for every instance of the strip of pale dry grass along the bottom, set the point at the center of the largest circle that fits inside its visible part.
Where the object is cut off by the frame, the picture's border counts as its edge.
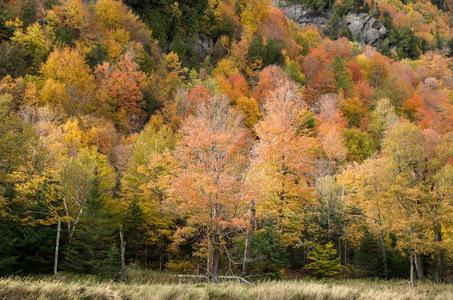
(89, 288)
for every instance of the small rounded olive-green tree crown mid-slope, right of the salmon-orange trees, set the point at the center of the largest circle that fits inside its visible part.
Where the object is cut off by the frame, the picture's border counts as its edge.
(360, 145)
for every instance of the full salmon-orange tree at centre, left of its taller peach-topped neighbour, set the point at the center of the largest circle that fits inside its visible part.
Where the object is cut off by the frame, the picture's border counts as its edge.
(211, 157)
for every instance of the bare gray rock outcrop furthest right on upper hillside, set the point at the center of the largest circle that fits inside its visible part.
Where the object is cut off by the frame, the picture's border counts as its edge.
(365, 28)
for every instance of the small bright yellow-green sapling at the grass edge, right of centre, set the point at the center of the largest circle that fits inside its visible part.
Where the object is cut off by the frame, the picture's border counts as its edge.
(324, 261)
